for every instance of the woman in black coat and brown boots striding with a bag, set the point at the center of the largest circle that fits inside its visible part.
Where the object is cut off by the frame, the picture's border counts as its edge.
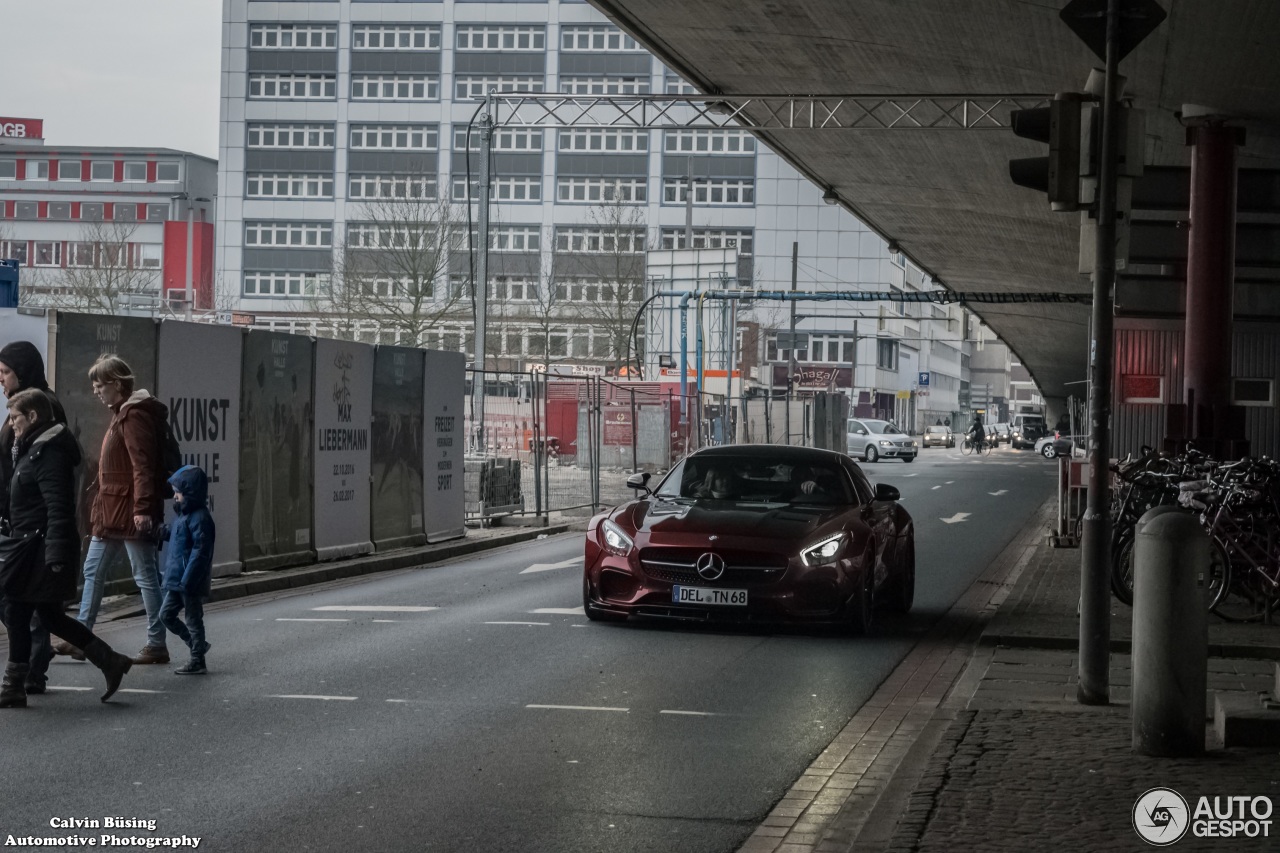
(39, 558)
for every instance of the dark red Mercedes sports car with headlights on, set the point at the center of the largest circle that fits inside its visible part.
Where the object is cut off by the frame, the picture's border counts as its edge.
(756, 533)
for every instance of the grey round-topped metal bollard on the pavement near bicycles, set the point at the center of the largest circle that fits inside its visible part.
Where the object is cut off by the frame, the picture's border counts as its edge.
(1171, 633)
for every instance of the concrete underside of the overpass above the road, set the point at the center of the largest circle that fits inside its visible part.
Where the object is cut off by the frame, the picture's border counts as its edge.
(945, 195)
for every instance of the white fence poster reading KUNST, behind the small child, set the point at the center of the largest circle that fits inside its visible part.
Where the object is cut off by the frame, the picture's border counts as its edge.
(199, 382)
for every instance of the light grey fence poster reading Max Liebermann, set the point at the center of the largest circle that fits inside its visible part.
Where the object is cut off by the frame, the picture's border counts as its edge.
(345, 396)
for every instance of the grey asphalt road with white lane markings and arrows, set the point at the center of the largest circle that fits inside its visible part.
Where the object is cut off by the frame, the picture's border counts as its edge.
(473, 706)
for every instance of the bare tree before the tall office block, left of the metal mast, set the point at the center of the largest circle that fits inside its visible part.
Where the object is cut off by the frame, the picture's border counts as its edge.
(392, 271)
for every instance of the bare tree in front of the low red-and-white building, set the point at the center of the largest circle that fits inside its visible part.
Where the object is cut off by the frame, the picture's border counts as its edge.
(102, 275)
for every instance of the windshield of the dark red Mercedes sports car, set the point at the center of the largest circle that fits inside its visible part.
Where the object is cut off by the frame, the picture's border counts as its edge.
(752, 480)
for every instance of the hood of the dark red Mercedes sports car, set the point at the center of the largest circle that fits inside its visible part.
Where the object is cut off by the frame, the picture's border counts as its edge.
(660, 522)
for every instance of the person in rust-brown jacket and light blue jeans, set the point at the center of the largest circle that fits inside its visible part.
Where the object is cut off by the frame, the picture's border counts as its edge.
(130, 501)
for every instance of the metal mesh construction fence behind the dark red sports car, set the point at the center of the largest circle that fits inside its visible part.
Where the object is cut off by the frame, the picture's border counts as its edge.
(568, 444)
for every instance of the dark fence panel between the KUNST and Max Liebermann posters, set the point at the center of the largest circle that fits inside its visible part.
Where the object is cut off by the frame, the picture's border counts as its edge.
(276, 451)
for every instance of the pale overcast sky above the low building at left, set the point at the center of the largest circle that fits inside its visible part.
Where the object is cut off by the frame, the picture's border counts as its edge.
(115, 72)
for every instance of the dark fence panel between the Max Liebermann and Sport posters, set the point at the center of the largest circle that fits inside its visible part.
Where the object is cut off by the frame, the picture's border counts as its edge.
(397, 449)
